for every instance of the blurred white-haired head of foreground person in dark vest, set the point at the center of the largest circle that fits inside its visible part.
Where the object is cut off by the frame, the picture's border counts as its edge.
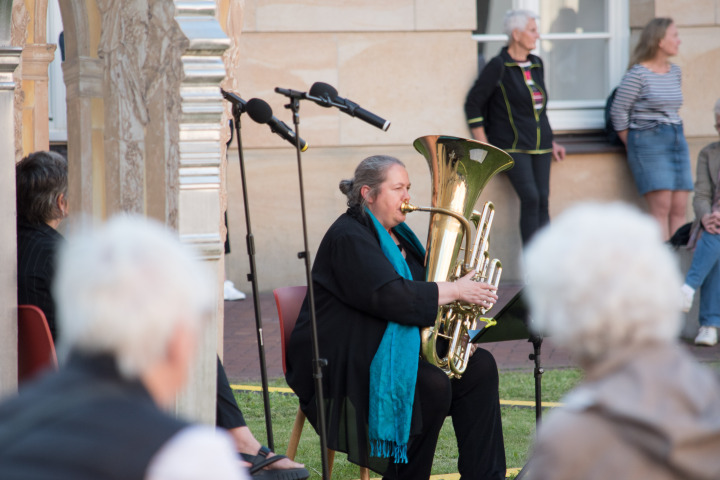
(125, 289)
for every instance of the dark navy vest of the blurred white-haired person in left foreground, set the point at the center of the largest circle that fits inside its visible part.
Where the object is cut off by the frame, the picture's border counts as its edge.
(84, 422)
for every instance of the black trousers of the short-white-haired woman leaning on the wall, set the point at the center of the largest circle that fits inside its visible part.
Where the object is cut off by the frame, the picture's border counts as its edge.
(530, 178)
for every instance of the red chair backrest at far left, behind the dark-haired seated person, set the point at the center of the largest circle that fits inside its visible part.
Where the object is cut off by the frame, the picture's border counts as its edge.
(36, 349)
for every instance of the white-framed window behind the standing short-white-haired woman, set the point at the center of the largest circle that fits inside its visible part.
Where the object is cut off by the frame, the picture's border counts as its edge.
(584, 47)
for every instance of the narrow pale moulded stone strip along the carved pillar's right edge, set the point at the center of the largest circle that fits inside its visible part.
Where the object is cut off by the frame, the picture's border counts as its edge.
(199, 216)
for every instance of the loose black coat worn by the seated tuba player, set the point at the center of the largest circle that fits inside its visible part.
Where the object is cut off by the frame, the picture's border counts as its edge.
(357, 291)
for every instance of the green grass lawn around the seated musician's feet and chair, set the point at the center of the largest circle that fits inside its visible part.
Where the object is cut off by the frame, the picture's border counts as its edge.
(518, 422)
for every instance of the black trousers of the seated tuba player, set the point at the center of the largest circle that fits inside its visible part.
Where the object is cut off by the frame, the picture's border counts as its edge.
(473, 402)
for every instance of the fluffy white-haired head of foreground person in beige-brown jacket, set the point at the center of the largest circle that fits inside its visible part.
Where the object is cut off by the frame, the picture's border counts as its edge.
(600, 278)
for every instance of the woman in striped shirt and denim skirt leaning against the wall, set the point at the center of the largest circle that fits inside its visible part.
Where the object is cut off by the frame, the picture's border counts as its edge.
(645, 115)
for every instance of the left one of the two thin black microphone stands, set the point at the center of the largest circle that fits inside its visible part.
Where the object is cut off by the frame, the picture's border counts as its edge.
(238, 110)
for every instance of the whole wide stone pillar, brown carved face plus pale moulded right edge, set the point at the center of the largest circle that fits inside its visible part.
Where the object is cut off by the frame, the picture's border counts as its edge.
(144, 121)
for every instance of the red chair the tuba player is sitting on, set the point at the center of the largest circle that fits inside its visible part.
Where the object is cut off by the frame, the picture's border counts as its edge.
(289, 301)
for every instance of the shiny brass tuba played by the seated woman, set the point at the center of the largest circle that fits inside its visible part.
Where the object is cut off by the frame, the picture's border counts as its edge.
(460, 169)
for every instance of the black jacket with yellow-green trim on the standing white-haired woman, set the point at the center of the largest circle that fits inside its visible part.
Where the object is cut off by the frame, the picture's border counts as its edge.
(501, 102)
